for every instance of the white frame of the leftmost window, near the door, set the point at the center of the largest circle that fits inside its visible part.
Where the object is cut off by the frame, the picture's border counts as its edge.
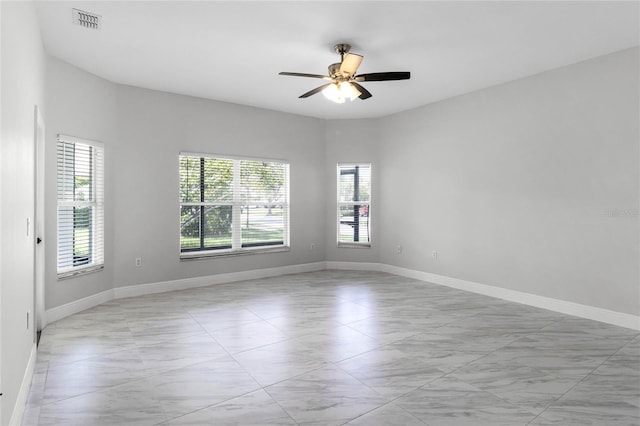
(97, 204)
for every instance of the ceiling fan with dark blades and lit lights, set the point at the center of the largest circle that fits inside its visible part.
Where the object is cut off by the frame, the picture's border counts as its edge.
(343, 83)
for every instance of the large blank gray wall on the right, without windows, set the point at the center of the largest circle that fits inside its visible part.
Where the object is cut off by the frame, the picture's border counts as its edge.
(512, 185)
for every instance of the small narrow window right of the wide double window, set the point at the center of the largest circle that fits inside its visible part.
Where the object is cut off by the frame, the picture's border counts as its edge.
(354, 204)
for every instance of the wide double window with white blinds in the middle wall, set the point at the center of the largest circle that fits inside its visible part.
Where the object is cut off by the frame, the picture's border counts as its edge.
(232, 205)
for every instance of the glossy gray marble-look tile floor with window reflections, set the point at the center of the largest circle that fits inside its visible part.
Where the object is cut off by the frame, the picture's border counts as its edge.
(332, 348)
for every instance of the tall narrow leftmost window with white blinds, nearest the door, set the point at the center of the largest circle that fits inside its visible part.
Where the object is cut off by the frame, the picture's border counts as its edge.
(80, 205)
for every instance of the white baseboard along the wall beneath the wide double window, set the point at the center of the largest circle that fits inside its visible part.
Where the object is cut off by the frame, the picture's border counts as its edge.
(182, 284)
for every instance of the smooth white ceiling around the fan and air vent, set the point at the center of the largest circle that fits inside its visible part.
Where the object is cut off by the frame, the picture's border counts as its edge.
(232, 51)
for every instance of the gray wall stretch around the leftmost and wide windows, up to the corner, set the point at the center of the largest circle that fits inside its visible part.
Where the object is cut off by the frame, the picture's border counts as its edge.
(143, 132)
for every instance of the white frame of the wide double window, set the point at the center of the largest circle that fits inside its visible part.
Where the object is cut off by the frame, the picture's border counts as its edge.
(236, 233)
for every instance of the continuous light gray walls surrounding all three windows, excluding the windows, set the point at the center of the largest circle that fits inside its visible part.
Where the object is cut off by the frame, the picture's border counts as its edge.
(511, 184)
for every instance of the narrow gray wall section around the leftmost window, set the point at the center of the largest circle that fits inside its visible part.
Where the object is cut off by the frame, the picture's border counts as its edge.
(81, 105)
